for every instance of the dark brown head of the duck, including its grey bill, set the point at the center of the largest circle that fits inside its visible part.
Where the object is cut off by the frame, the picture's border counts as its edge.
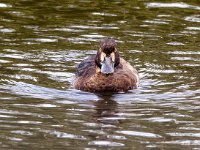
(107, 57)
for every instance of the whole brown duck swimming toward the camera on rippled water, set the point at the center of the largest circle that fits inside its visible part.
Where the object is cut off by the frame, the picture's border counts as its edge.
(106, 71)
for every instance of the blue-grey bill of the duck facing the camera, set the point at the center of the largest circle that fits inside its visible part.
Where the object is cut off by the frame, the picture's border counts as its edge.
(107, 67)
